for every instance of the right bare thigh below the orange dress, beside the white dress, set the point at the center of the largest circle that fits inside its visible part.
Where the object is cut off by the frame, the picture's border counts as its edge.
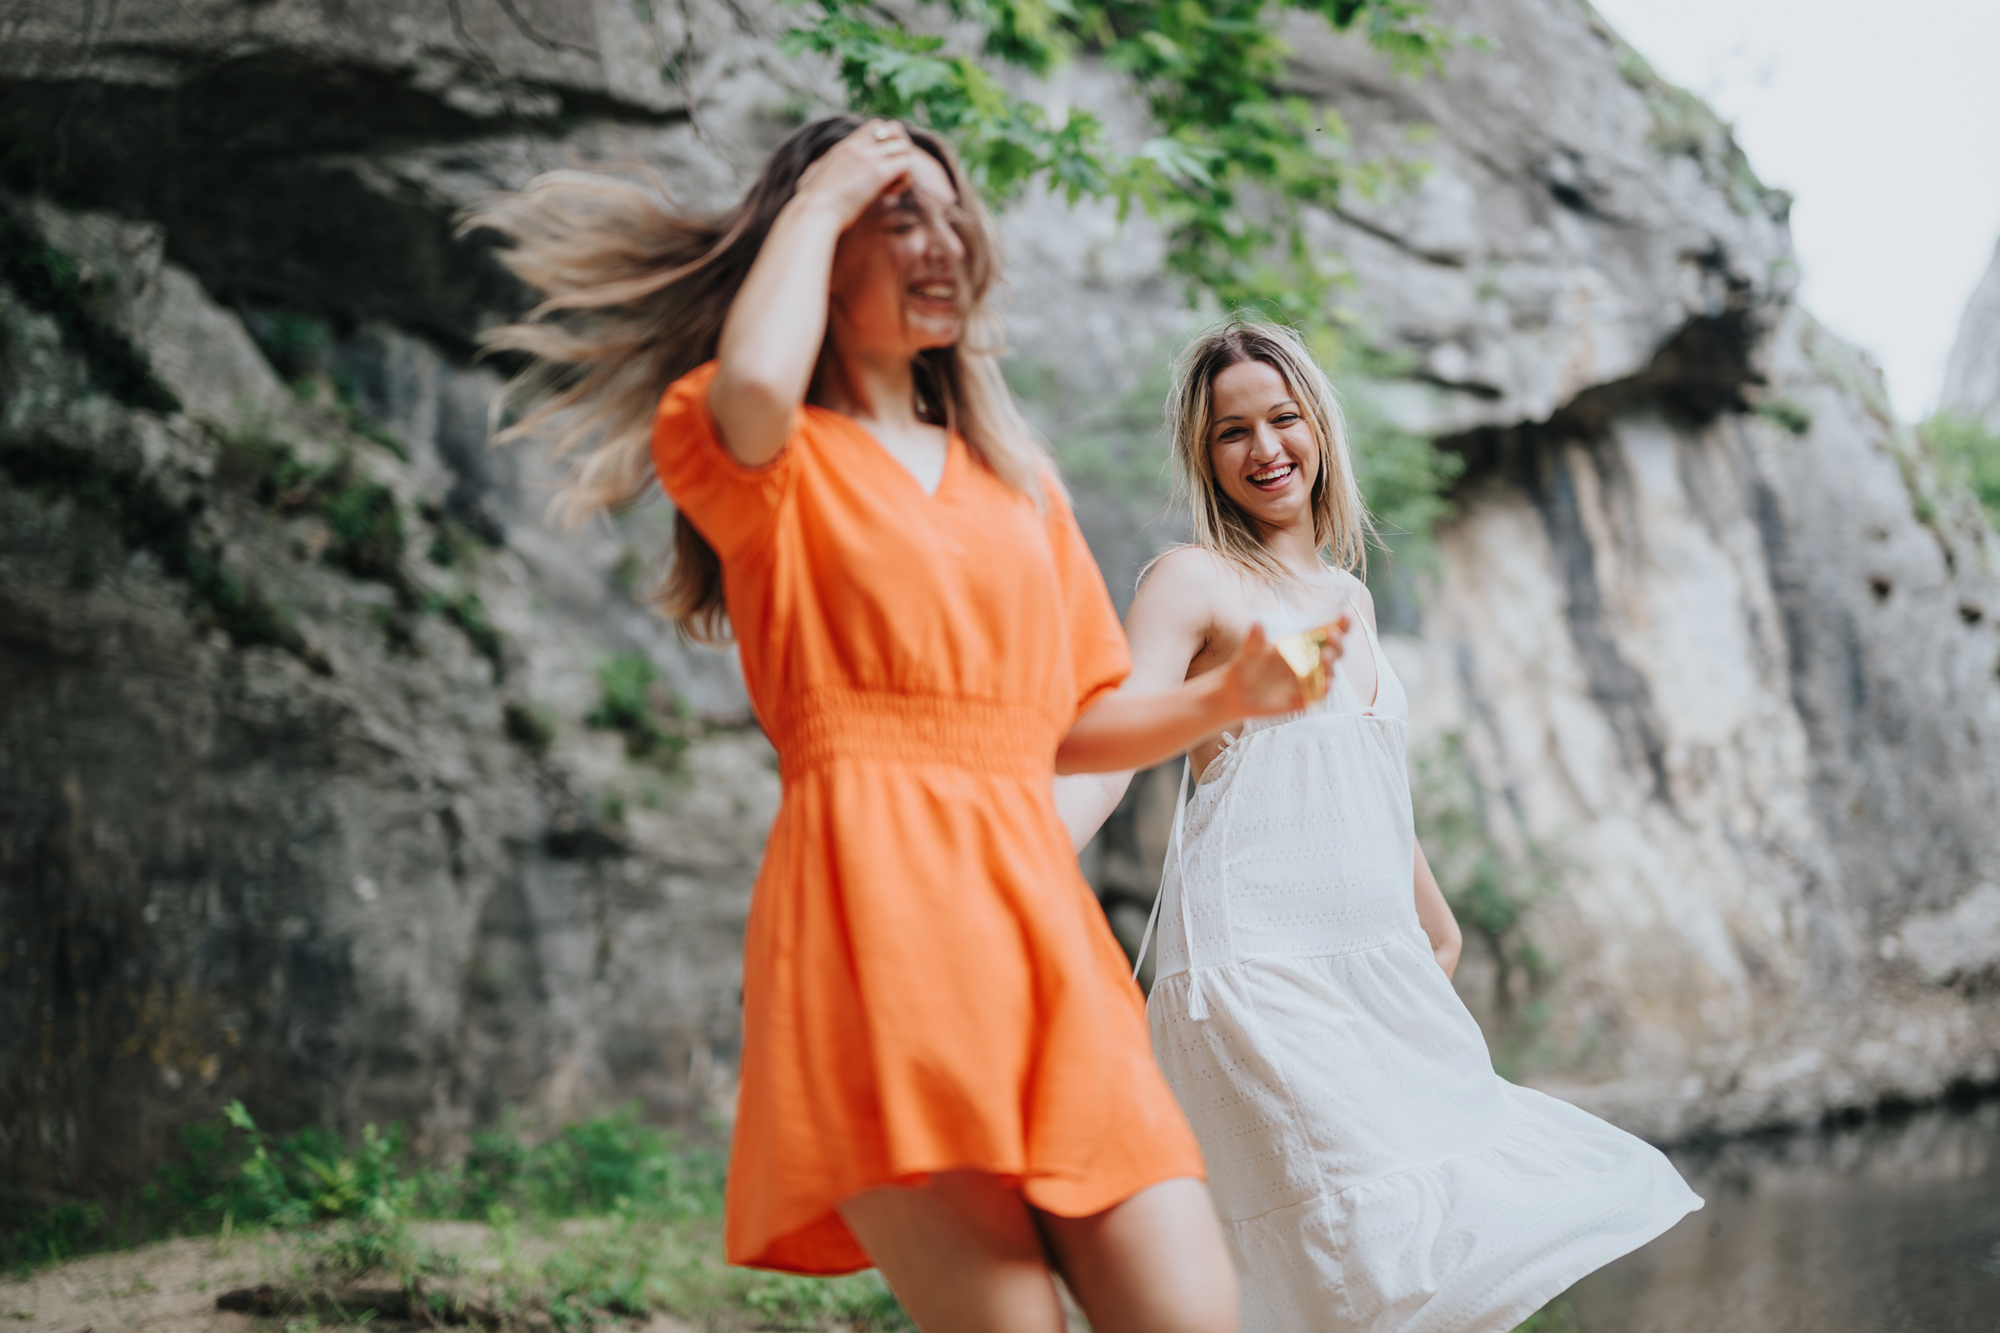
(1155, 1264)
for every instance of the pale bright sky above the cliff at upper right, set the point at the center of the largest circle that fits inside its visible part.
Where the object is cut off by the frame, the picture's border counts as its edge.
(1885, 123)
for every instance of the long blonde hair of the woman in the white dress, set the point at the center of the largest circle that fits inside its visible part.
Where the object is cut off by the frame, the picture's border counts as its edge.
(1341, 523)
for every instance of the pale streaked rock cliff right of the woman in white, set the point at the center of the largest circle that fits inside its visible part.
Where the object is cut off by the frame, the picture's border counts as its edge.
(1717, 651)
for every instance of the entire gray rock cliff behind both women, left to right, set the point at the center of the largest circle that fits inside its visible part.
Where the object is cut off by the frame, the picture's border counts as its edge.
(333, 778)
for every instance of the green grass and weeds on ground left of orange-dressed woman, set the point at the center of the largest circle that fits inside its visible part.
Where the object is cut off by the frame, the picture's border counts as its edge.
(605, 1222)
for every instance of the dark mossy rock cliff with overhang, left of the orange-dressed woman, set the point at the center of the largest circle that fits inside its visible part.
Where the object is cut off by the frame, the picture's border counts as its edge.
(331, 776)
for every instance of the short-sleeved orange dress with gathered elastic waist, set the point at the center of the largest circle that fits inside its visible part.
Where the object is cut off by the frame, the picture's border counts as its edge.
(929, 982)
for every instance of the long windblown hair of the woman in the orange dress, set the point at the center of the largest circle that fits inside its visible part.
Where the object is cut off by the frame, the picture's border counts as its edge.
(635, 297)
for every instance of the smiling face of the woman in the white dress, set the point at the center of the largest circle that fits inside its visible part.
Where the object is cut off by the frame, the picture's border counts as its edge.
(1261, 447)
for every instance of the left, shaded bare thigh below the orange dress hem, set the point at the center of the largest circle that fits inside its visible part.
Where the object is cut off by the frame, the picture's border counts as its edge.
(961, 1254)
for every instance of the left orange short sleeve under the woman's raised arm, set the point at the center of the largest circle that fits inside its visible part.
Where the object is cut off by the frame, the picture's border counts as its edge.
(727, 501)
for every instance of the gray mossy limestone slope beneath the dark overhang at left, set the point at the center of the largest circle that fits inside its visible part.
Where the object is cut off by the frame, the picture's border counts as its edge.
(287, 822)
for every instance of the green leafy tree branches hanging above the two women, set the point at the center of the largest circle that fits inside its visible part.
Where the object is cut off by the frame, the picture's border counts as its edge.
(1235, 161)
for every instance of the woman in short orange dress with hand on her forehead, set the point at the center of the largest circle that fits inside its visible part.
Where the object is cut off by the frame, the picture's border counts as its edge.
(945, 1068)
